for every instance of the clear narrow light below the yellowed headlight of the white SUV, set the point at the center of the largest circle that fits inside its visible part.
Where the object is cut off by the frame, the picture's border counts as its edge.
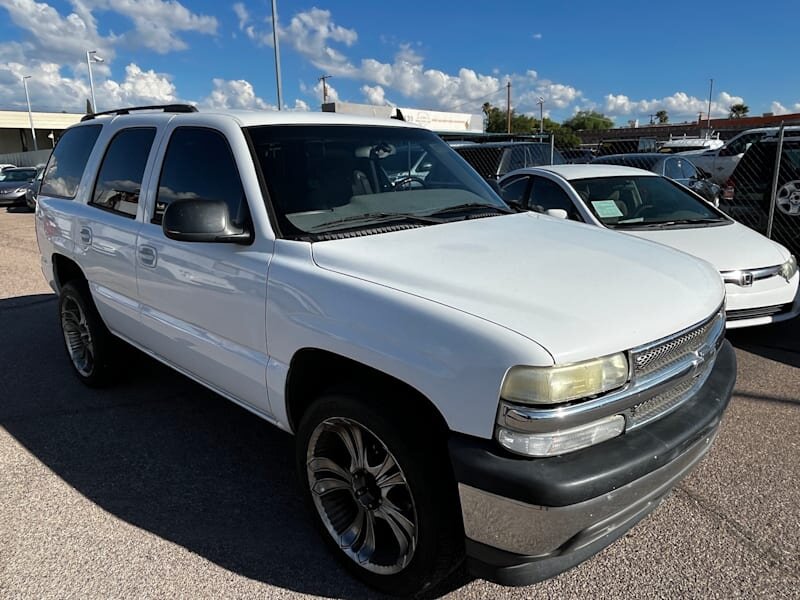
(554, 443)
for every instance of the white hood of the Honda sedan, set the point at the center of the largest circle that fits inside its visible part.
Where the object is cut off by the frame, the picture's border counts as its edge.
(727, 247)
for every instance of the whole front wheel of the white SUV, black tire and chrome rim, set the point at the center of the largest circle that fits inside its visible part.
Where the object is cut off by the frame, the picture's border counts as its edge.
(395, 483)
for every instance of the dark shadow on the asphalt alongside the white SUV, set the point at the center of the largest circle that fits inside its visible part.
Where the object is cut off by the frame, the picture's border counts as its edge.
(166, 455)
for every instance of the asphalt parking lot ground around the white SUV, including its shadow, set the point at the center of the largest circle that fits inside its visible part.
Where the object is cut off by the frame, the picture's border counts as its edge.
(157, 488)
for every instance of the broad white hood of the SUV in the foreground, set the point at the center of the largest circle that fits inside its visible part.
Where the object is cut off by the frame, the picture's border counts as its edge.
(578, 291)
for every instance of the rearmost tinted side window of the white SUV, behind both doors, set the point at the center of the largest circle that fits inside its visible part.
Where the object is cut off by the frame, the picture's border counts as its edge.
(68, 161)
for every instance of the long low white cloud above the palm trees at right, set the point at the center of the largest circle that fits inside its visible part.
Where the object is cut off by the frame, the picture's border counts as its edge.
(679, 105)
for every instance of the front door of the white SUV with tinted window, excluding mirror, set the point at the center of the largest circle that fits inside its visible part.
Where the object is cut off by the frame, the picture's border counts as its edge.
(204, 304)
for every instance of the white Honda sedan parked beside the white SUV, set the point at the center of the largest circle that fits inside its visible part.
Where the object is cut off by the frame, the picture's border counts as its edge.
(760, 275)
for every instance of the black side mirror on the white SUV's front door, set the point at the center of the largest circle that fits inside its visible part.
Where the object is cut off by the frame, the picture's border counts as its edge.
(193, 220)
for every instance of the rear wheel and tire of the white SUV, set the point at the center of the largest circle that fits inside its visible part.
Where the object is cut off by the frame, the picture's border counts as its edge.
(90, 347)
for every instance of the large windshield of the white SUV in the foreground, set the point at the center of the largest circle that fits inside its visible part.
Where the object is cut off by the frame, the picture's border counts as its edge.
(325, 178)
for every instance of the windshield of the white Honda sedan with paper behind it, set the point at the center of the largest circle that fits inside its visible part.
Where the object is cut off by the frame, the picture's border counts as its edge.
(644, 202)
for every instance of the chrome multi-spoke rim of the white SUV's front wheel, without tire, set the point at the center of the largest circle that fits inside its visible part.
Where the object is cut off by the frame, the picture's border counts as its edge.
(362, 495)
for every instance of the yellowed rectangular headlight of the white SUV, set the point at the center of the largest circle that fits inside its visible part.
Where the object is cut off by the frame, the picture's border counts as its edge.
(551, 385)
